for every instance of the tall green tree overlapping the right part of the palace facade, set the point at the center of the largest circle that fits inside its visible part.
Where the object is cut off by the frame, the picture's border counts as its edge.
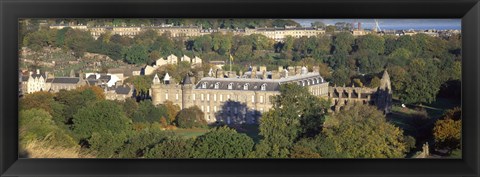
(296, 113)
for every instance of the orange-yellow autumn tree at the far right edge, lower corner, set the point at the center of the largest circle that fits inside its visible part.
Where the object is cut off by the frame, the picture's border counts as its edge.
(448, 130)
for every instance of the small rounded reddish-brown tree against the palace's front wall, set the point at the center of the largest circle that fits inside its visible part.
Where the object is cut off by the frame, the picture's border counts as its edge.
(190, 118)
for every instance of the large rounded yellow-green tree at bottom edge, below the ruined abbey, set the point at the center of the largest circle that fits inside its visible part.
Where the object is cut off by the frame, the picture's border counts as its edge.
(361, 131)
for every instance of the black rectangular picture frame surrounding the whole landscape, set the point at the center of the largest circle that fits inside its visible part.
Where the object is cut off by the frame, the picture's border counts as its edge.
(11, 11)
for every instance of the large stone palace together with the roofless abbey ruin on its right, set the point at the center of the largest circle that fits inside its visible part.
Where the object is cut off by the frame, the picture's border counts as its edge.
(233, 99)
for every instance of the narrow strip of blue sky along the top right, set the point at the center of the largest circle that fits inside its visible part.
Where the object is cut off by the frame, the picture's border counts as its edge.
(394, 24)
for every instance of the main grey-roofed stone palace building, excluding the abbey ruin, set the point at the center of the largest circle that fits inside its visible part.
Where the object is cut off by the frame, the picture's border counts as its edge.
(232, 100)
